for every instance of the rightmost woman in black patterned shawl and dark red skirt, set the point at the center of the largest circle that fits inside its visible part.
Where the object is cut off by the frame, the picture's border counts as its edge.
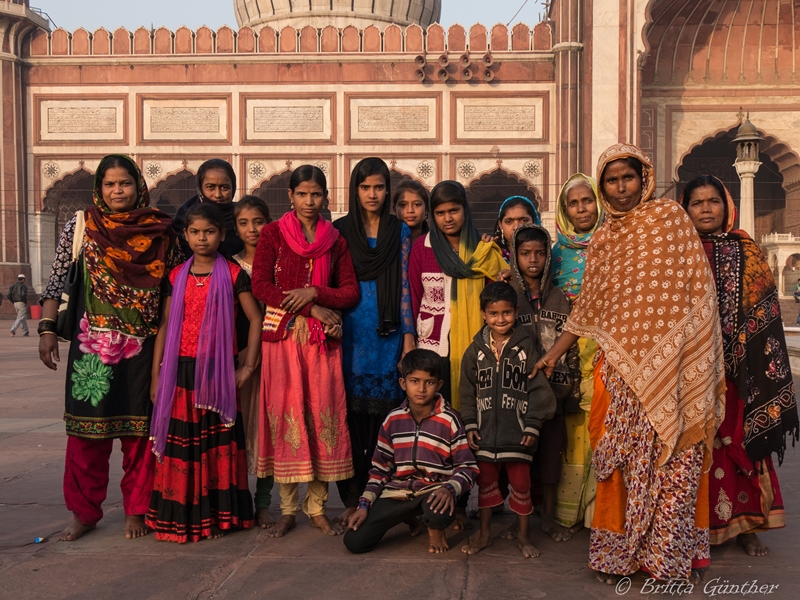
(760, 408)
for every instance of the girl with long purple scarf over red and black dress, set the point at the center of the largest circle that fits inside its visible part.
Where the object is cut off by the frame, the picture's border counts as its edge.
(201, 486)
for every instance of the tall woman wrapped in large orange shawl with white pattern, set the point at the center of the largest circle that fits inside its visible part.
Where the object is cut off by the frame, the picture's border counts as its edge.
(648, 299)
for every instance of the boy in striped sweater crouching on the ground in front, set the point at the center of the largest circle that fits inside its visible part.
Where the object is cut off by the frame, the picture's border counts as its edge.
(421, 465)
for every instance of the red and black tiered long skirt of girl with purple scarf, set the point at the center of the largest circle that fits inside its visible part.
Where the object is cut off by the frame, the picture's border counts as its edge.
(202, 482)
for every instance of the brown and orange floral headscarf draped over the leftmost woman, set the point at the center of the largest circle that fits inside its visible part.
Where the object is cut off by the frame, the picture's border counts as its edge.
(126, 257)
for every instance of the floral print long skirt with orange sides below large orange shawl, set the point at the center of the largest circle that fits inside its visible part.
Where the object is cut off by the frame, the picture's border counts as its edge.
(647, 516)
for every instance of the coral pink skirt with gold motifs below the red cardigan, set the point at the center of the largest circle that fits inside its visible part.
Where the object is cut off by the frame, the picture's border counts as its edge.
(303, 432)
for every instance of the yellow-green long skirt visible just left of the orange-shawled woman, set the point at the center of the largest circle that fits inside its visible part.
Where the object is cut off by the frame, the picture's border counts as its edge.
(577, 486)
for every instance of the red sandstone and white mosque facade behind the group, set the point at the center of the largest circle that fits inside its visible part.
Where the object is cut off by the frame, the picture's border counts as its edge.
(504, 109)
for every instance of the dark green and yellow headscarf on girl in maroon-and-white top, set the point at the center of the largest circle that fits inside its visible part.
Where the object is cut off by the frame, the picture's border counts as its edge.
(475, 261)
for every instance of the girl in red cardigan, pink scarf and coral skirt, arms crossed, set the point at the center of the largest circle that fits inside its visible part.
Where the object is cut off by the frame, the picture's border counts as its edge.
(303, 273)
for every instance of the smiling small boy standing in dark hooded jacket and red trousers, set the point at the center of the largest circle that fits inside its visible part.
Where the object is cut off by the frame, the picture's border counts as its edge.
(503, 412)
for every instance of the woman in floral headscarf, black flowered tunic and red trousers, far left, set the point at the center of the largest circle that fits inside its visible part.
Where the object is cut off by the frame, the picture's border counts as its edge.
(128, 251)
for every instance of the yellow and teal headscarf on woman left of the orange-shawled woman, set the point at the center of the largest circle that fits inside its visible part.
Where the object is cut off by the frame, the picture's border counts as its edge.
(569, 251)
